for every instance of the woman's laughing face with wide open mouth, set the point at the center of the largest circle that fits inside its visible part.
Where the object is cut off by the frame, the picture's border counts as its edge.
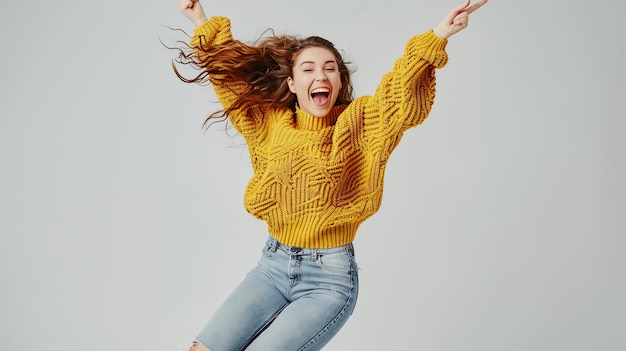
(315, 80)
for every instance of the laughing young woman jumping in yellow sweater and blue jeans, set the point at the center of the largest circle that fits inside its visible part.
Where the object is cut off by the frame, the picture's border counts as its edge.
(318, 158)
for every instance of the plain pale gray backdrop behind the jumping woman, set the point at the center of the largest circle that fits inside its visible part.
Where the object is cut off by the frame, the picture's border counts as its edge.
(502, 226)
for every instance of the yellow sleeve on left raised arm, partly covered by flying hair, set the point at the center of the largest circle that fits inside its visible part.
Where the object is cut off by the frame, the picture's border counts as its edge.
(216, 31)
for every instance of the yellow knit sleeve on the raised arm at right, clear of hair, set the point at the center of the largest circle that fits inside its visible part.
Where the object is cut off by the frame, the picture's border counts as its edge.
(405, 95)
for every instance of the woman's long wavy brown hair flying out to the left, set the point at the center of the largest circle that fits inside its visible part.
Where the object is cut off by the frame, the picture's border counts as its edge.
(263, 68)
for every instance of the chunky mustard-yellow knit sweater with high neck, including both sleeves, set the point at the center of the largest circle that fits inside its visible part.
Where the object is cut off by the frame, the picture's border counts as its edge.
(317, 179)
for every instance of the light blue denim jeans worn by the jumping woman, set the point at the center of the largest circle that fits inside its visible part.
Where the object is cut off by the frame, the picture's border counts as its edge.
(294, 299)
